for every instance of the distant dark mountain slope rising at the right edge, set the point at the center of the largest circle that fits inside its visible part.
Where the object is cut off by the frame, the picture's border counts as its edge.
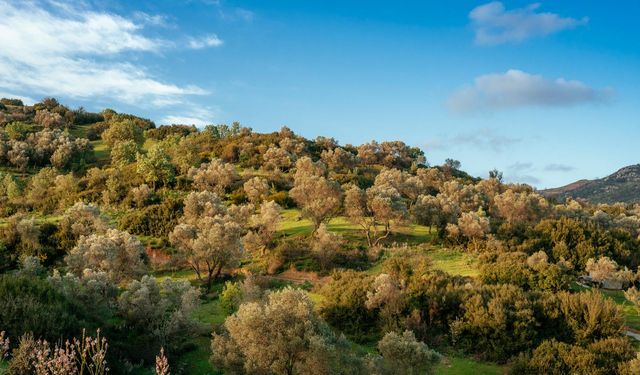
(622, 186)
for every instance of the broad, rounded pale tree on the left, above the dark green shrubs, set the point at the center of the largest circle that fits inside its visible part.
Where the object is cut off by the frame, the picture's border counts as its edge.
(117, 253)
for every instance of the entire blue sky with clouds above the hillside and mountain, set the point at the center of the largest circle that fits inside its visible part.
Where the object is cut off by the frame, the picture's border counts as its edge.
(546, 92)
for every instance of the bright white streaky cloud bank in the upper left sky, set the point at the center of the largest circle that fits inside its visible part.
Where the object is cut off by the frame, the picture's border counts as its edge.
(78, 53)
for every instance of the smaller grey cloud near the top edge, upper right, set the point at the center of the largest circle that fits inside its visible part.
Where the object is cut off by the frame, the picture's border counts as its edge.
(493, 24)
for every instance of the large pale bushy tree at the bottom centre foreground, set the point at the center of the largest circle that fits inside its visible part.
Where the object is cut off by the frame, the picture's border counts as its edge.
(281, 335)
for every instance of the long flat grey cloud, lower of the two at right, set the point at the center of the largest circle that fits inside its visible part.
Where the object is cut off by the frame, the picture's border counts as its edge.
(516, 88)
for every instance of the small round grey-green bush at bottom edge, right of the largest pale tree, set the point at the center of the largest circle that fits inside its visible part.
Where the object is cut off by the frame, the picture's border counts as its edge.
(405, 355)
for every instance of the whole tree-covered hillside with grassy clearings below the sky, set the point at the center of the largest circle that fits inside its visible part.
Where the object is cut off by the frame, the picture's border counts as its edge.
(141, 248)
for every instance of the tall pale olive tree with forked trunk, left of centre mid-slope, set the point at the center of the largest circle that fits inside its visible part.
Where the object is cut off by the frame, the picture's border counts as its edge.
(208, 238)
